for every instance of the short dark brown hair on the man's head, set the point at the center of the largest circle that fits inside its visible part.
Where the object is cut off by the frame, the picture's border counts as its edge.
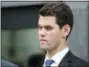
(61, 11)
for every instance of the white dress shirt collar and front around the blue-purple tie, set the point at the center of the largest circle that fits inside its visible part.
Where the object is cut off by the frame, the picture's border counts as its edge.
(57, 57)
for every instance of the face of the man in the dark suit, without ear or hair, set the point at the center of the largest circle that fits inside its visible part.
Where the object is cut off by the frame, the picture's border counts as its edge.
(50, 34)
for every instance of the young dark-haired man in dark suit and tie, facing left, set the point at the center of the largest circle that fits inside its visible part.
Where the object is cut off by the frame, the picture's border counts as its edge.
(54, 26)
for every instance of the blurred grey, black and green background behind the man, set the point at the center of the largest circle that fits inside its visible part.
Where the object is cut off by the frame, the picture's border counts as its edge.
(19, 35)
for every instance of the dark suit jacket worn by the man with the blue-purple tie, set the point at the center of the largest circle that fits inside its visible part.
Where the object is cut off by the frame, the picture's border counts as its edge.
(68, 61)
